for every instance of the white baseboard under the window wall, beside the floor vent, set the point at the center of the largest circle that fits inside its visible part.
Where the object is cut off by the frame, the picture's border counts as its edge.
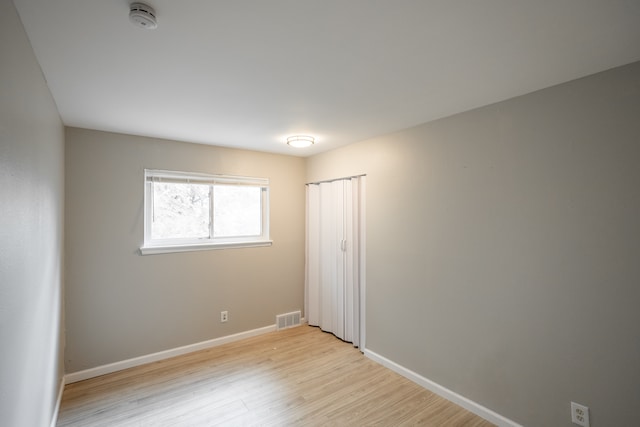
(141, 360)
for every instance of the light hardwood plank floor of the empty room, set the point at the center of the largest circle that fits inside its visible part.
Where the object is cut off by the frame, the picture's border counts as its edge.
(296, 377)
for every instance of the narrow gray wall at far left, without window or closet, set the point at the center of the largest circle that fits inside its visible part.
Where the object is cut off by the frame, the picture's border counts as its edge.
(31, 235)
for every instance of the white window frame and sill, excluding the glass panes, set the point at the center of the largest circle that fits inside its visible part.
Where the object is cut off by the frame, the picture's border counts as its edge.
(157, 246)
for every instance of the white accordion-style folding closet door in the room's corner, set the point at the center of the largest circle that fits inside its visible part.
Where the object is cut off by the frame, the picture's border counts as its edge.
(332, 297)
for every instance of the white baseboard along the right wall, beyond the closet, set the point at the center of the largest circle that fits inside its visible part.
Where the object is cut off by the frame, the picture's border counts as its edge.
(454, 397)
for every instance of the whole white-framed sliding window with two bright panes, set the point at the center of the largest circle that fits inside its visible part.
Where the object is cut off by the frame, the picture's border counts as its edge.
(189, 211)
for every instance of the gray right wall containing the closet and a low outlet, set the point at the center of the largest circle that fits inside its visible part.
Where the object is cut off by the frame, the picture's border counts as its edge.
(503, 250)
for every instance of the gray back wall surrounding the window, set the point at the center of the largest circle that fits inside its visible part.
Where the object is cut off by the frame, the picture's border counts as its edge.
(120, 304)
